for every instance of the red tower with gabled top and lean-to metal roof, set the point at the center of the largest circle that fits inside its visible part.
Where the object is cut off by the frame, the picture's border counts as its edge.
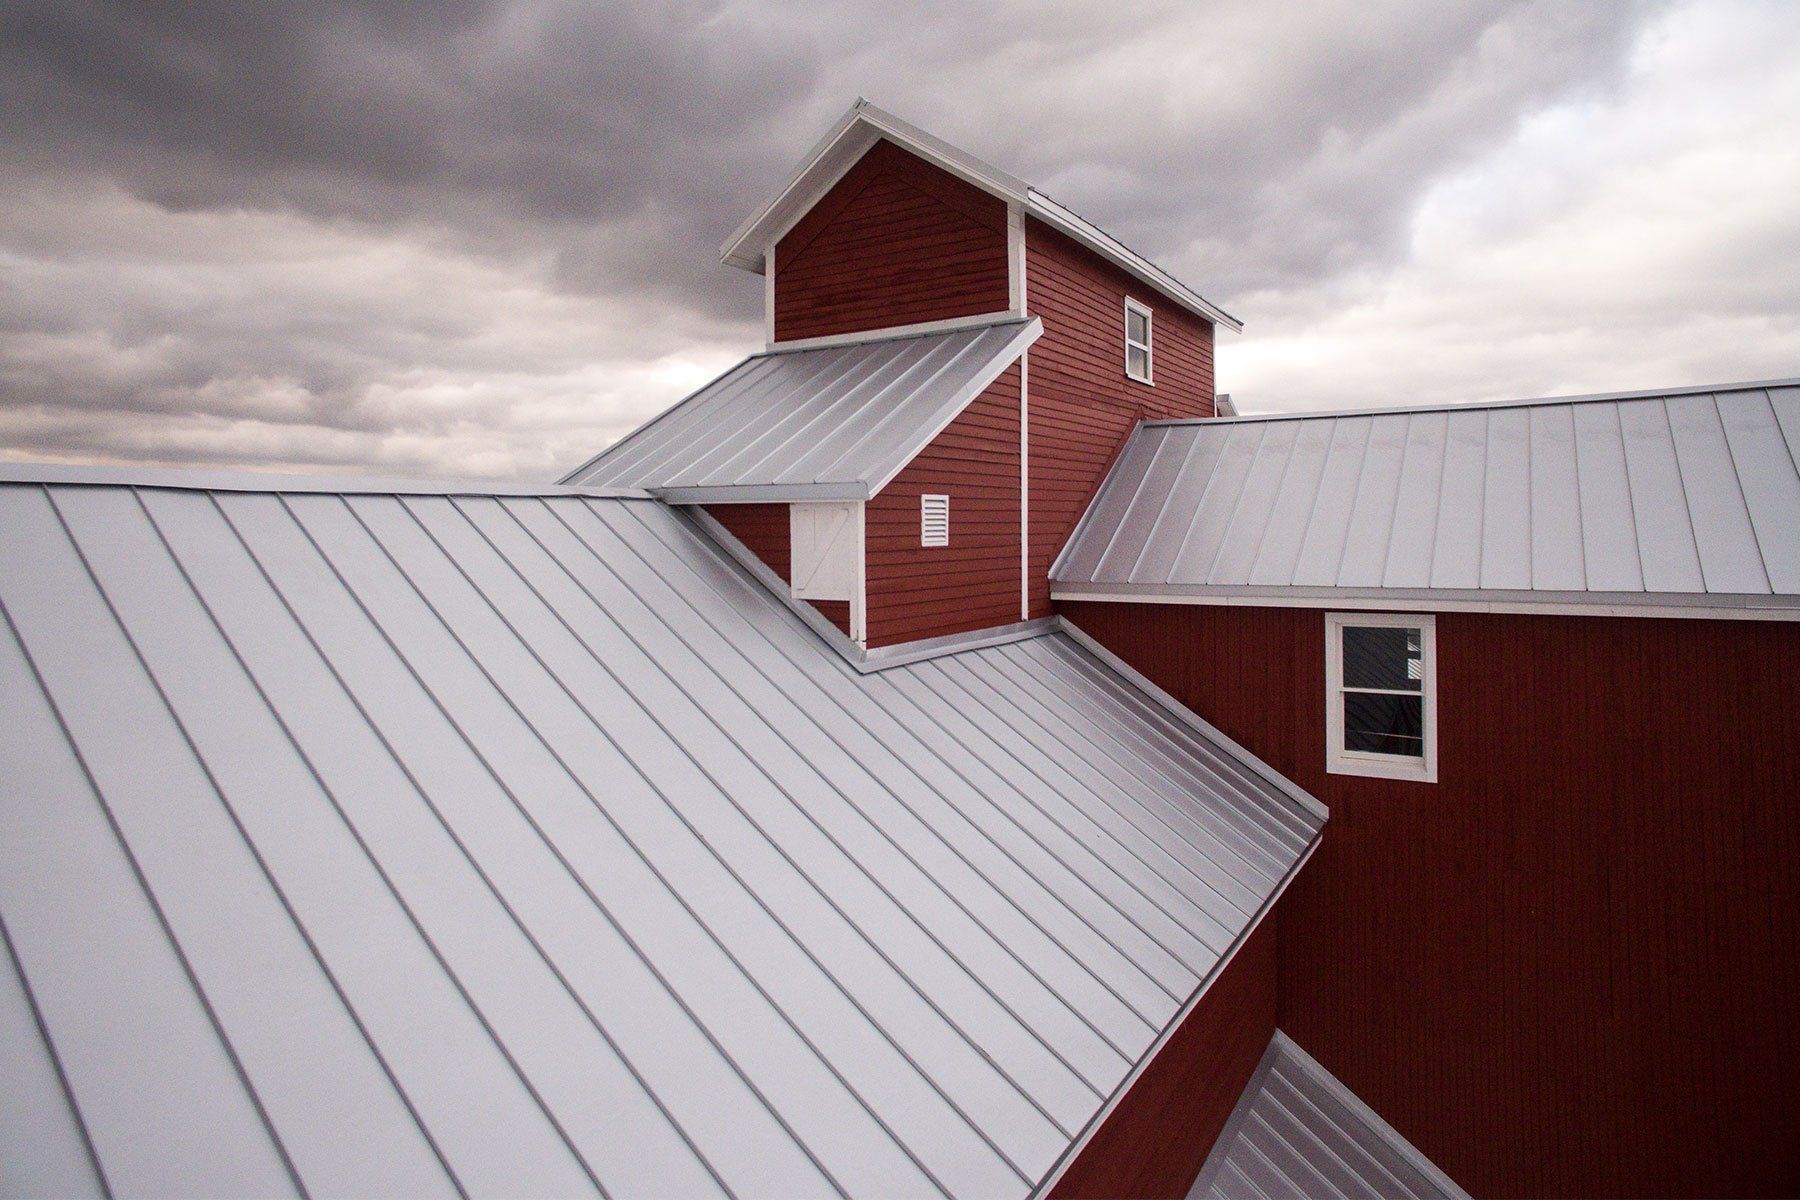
(953, 361)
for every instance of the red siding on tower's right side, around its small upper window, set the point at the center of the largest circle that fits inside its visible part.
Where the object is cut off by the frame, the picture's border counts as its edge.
(1083, 406)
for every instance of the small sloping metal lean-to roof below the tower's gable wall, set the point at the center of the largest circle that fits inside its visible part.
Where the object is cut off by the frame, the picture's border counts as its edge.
(829, 424)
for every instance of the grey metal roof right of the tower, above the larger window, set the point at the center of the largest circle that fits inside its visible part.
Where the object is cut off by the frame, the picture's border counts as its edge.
(1684, 497)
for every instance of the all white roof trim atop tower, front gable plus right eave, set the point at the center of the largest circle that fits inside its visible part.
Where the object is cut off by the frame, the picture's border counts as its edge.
(858, 130)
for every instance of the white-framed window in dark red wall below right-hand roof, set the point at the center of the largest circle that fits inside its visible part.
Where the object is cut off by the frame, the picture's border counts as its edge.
(1381, 695)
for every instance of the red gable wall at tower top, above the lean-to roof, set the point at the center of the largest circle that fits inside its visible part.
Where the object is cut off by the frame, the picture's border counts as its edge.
(895, 242)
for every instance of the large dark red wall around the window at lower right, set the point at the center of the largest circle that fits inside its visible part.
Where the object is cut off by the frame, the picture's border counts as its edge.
(1572, 965)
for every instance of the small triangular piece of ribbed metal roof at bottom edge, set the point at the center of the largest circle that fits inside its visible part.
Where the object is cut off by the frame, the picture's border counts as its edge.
(1299, 1133)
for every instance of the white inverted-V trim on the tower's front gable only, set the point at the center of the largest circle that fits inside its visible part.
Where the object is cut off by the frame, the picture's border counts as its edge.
(840, 150)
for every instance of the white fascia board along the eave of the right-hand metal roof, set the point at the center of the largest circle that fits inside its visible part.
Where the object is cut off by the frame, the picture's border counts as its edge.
(1524, 604)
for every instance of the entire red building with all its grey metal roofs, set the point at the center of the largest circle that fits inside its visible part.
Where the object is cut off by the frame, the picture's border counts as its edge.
(940, 757)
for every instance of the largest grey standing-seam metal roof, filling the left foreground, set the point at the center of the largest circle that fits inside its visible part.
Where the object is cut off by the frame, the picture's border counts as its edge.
(426, 845)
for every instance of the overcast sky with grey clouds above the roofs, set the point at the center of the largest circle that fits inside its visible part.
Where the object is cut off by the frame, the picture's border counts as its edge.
(481, 238)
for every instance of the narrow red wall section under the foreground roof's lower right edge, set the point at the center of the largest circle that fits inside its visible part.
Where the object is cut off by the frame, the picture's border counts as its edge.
(1156, 1142)
